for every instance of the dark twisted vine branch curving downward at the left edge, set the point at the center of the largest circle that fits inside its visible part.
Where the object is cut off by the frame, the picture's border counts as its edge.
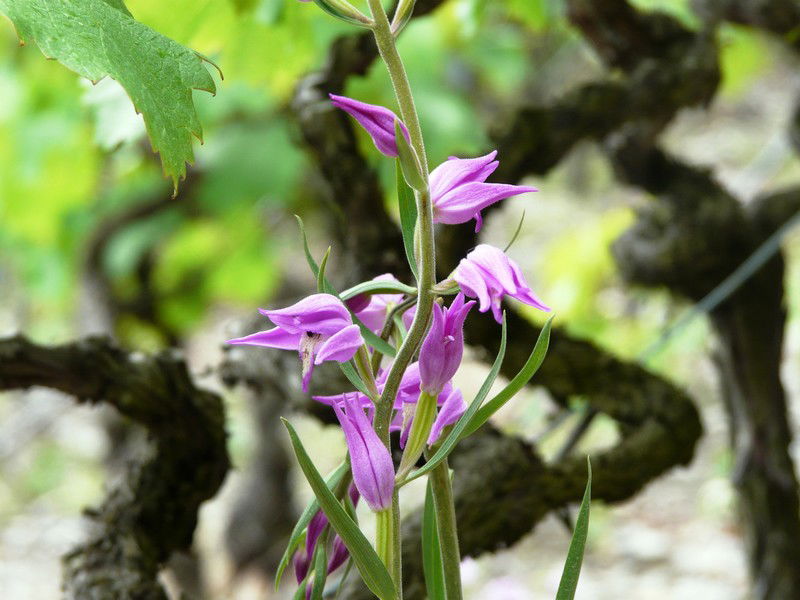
(153, 511)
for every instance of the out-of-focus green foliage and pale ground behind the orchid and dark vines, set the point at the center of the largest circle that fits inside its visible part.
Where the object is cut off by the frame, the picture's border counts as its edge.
(92, 243)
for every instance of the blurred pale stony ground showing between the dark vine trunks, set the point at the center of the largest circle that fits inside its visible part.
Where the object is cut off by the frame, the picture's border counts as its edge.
(676, 540)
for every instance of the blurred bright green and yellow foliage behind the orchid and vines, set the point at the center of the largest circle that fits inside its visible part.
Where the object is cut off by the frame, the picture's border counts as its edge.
(73, 157)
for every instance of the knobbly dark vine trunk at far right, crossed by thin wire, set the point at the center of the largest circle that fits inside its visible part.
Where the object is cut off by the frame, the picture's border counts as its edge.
(668, 246)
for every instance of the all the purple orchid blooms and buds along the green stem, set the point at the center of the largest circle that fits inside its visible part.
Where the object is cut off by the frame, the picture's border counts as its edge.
(322, 327)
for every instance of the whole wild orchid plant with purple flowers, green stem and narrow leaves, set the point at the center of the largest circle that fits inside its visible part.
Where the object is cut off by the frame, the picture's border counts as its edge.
(405, 386)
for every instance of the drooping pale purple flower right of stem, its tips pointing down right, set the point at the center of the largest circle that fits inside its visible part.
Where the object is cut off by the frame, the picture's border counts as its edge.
(488, 274)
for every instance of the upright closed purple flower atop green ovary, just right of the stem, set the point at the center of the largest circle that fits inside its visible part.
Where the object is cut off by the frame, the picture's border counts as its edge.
(441, 351)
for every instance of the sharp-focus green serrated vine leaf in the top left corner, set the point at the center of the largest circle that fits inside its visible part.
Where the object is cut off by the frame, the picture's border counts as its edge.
(100, 38)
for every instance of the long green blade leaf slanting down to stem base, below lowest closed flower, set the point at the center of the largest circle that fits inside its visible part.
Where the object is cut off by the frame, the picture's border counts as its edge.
(366, 559)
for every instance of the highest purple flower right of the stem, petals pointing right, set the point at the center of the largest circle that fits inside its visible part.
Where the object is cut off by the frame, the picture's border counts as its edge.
(459, 191)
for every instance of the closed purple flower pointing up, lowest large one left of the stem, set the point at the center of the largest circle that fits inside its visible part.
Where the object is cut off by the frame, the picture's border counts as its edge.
(371, 463)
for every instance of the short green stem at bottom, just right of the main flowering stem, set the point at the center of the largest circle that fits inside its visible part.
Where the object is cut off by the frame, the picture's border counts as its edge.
(448, 532)
